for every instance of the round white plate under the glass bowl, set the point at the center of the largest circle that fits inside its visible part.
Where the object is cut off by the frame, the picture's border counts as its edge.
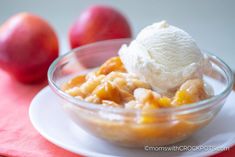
(51, 122)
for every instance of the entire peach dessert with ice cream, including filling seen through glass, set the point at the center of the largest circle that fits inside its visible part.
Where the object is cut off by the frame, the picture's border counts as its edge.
(139, 94)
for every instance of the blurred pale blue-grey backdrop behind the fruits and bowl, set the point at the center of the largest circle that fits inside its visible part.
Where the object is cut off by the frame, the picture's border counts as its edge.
(210, 22)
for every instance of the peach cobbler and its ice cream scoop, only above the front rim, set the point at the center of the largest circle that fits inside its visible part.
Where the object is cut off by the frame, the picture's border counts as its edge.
(161, 68)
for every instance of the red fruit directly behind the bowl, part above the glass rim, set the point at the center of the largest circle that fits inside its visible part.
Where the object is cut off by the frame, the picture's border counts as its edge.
(98, 23)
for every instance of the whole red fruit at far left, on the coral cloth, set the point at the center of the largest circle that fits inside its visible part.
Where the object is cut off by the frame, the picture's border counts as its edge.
(28, 45)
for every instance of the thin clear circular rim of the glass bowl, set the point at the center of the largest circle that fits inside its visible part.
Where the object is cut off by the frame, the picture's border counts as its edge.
(193, 107)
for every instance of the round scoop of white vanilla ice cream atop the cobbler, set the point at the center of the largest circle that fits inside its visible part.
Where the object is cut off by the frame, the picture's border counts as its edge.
(164, 56)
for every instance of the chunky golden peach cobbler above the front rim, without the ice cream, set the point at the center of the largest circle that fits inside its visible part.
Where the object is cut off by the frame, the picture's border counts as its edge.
(111, 85)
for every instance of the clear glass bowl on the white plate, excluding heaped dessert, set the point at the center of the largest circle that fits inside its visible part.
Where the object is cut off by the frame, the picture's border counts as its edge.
(122, 126)
